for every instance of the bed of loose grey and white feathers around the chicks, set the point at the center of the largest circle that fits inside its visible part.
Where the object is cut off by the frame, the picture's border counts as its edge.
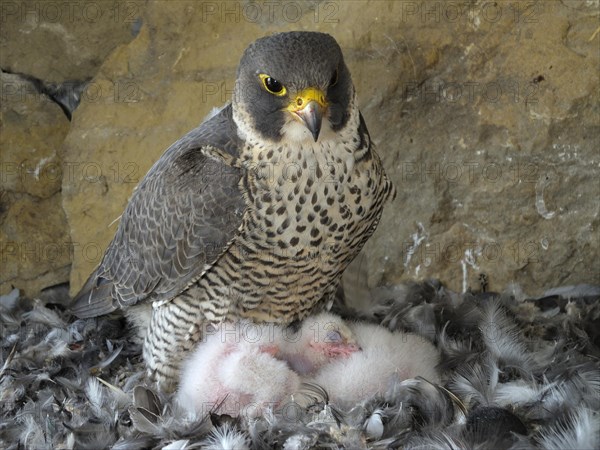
(516, 373)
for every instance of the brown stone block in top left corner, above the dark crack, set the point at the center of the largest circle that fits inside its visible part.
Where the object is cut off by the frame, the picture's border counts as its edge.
(63, 41)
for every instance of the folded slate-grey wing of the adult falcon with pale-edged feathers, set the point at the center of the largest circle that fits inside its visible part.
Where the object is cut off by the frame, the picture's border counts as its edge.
(179, 220)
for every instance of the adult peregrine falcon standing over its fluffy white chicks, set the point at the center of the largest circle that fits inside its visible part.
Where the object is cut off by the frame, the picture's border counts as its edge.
(254, 214)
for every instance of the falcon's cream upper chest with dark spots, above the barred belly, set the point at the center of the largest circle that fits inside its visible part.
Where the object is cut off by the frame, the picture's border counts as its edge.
(306, 203)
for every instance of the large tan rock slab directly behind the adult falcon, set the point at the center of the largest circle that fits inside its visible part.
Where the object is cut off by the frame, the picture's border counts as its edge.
(485, 115)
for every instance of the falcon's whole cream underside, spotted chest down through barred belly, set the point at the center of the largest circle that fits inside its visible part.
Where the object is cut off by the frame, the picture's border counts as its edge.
(309, 212)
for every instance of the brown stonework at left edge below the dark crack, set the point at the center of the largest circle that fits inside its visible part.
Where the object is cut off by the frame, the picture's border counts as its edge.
(35, 248)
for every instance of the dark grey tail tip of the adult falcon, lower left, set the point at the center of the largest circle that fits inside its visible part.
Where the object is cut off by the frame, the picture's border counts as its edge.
(94, 299)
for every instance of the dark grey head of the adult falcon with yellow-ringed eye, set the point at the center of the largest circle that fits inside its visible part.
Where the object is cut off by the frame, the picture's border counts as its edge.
(294, 78)
